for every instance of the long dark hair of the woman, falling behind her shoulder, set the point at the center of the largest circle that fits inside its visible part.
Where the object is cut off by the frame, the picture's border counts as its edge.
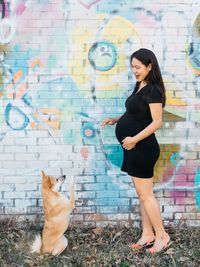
(146, 57)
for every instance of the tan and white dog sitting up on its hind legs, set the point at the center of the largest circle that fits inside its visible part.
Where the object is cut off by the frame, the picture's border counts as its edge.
(56, 215)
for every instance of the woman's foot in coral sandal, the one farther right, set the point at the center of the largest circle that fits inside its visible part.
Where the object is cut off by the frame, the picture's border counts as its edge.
(160, 244)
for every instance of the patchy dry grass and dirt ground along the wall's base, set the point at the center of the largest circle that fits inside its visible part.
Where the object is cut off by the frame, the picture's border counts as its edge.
(108, 246)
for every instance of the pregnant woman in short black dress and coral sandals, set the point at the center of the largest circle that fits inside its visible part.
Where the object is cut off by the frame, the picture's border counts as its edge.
(135, 132)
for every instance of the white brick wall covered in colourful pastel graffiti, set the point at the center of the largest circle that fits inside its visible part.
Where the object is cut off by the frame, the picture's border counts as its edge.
(64, 67)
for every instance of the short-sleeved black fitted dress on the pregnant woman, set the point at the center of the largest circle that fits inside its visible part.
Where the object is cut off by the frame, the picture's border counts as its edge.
(140, 160)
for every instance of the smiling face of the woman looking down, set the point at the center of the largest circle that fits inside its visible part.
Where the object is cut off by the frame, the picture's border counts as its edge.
(140, 70)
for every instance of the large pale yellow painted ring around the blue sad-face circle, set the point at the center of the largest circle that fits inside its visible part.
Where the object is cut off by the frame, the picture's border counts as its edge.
(117, 30)
